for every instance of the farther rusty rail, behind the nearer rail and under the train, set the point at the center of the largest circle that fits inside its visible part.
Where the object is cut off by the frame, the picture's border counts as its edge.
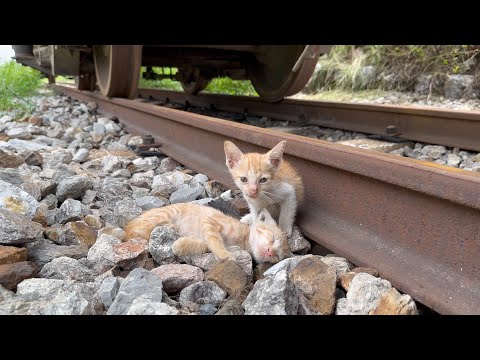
(444, 127)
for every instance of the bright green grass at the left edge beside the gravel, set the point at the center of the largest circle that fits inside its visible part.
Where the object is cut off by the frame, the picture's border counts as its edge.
(17, 84)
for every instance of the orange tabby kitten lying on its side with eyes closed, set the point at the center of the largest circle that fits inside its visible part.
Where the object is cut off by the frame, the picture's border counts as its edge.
(203, 228)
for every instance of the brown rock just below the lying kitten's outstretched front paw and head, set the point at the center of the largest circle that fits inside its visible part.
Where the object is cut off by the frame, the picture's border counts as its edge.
(231, 278)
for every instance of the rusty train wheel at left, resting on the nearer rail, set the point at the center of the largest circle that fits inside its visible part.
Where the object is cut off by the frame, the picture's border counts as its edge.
(118, 69)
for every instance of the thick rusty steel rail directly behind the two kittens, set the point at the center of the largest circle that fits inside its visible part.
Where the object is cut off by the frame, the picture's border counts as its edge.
(418, 223)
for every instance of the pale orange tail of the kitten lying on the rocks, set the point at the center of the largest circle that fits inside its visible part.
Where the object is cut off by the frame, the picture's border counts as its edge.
(142, 226)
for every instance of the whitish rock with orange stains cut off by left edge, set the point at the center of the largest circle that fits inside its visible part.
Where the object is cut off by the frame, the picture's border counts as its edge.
(14, 199)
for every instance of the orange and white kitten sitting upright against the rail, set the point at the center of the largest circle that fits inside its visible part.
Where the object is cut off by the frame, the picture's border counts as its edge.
(266, 181)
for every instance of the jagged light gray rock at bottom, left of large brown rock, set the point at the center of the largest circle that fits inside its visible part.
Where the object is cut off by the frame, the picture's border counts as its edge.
(274, 295)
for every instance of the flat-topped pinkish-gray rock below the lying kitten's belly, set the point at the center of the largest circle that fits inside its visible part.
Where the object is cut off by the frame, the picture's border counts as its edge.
(175, 277)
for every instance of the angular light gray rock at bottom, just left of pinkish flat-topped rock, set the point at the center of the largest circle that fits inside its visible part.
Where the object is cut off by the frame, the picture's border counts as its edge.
(139, 283)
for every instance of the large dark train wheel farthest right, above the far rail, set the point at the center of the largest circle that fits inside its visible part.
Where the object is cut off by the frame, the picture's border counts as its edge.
(274, 74)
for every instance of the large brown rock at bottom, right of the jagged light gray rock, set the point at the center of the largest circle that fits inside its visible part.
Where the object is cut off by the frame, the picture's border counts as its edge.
(317, 282)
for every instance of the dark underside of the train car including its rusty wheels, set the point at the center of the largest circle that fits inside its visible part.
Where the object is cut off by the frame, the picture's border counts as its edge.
(275, 71)
